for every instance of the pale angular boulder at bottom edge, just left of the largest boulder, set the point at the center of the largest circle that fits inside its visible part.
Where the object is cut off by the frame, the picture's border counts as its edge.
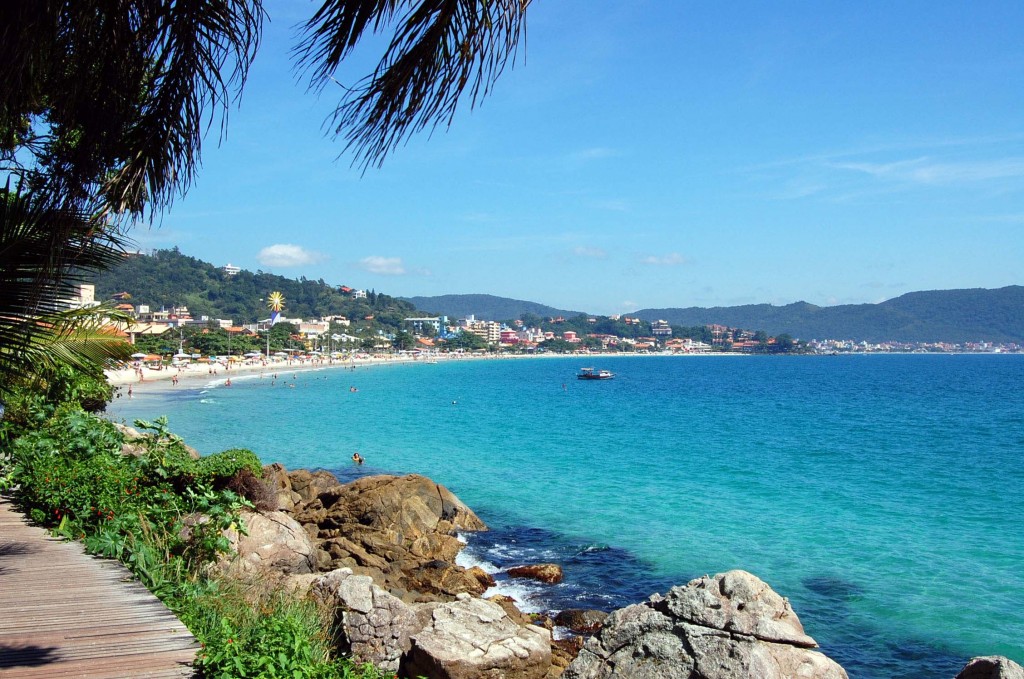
(476, 640)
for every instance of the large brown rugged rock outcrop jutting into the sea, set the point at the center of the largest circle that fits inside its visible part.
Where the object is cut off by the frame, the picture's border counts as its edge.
(401, 531)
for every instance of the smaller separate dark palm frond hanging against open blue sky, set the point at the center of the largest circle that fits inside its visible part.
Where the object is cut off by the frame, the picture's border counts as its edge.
(440, 50)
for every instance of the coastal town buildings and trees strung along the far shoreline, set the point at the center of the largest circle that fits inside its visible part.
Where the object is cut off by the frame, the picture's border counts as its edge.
(175, 332)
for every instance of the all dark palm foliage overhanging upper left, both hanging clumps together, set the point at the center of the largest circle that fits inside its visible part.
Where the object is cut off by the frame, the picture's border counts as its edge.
(105, 106)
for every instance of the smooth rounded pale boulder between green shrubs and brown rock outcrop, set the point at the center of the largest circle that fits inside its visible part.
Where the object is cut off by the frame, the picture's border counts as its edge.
(275, 541)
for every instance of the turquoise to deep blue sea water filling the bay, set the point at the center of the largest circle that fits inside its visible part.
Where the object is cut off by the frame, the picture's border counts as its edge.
(882, 494)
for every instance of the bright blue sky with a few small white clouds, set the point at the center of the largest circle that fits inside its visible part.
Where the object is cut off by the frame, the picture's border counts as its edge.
(652, 154)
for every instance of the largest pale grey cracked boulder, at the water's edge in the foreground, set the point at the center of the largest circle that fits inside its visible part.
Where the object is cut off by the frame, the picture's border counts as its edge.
(727, 627)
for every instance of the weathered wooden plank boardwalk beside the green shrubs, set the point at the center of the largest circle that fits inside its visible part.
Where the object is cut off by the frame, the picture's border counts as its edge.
(64, 614)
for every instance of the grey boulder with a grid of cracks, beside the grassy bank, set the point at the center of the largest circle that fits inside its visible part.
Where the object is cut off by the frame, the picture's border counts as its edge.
(372, 625)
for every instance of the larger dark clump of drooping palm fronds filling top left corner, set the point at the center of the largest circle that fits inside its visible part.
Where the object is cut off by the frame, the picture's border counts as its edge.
(124, 90)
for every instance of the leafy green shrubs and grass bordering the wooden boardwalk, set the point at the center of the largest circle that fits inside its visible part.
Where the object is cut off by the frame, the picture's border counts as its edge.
(164, 516)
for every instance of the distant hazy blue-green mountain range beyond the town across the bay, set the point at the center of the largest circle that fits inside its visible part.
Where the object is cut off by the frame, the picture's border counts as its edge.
(938, 316)
